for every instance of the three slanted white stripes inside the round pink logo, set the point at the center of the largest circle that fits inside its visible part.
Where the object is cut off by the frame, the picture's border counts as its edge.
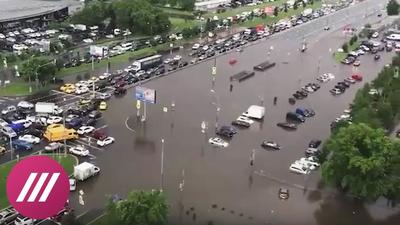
(38, 187)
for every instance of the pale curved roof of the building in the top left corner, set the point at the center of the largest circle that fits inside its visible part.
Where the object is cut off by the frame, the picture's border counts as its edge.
(11, 10)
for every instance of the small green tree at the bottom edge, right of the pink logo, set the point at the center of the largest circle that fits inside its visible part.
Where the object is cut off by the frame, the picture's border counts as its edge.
(143, 208)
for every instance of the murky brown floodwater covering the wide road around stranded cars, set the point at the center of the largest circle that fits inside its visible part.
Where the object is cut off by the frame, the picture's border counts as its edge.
(219, 184)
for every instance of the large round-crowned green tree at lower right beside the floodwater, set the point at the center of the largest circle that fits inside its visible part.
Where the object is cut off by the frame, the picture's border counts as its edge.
(362, 162)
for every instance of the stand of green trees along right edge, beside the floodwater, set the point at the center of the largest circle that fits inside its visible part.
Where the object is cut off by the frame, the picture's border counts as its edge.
(361, 159)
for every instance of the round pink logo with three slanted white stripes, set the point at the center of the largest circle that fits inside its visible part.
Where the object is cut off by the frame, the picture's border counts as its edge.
(38, 187)
